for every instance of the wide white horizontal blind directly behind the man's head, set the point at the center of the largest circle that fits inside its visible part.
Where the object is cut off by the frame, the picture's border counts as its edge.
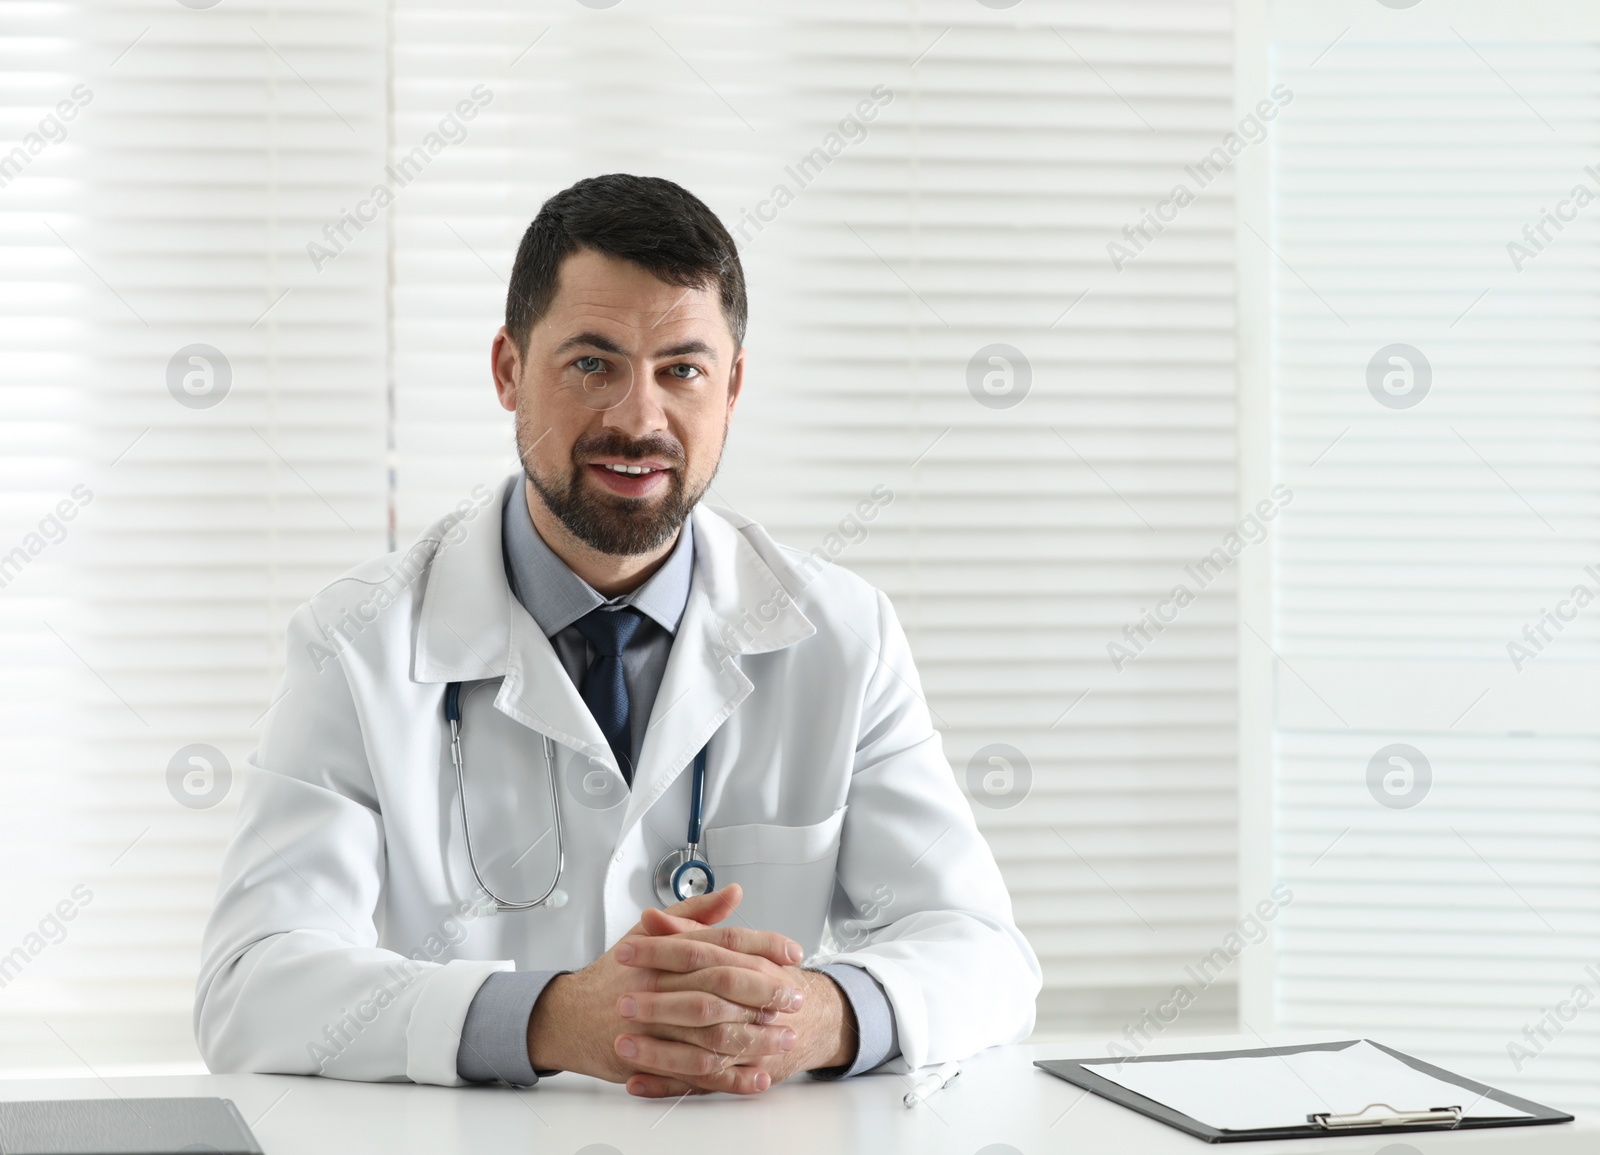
(980, 207)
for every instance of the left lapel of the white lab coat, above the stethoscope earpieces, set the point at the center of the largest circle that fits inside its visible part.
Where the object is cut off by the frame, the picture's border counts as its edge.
(473, 628)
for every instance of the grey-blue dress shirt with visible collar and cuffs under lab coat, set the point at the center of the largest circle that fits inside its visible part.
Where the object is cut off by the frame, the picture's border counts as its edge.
(495, 1034)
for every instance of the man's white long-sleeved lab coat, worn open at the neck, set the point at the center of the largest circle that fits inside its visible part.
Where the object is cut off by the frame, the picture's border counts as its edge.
(345, 938)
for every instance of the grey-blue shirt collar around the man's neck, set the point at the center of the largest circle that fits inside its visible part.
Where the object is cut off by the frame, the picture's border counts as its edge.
(556, 597)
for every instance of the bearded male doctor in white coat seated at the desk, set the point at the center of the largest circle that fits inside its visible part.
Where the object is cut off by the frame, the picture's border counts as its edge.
(599, 628)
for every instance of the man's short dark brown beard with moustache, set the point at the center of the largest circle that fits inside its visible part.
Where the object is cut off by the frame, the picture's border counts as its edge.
(609, 522)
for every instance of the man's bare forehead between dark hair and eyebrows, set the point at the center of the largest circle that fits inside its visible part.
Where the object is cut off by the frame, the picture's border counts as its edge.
(607, 294)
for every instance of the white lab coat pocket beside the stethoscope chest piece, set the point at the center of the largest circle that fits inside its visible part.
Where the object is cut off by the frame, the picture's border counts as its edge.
(786, 873)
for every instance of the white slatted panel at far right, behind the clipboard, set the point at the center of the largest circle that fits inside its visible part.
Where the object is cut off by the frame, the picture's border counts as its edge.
(1452, 906)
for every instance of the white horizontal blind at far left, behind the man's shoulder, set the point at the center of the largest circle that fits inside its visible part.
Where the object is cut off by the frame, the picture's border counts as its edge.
(207, 146)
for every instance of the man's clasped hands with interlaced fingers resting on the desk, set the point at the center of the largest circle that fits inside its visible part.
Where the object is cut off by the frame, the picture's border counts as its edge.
(682, 1007)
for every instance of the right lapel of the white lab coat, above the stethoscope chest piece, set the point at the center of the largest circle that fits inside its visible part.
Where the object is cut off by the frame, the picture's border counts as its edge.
(738, 605)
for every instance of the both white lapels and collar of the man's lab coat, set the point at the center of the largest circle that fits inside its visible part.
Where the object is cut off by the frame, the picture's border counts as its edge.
(742, 602)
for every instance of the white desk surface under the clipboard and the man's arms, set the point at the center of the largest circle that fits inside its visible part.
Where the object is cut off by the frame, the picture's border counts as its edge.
(999, 1106)
